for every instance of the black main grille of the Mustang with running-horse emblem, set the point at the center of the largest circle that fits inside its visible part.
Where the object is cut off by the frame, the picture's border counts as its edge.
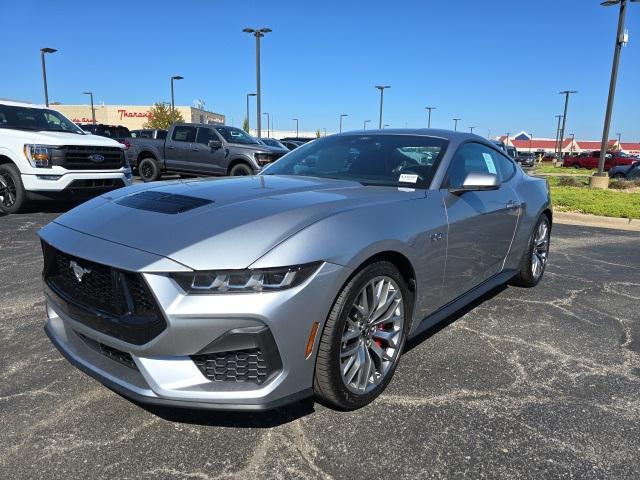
(109, 300)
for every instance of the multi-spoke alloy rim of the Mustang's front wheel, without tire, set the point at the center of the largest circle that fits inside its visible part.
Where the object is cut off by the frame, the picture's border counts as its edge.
(372, 335)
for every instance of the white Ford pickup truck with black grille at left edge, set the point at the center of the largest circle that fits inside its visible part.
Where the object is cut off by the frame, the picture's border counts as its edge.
(43, 155)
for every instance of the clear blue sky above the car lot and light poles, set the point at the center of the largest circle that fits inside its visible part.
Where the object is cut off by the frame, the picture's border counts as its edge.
(498, 65)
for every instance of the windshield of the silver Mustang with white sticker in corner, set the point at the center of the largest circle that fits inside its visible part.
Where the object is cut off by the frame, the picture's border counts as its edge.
(391, 160)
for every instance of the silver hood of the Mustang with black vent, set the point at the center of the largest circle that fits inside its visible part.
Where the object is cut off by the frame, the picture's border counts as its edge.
(245, 217)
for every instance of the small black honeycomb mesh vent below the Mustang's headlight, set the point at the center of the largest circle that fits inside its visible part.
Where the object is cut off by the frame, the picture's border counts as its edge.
(234, 366)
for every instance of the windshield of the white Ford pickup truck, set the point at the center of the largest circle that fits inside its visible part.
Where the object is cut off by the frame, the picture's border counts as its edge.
(37, 119)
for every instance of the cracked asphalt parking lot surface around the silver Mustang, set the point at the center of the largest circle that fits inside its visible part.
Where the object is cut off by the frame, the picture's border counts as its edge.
(534, 383)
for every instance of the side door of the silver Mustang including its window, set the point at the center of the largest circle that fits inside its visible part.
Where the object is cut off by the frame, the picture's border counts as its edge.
(481, 224)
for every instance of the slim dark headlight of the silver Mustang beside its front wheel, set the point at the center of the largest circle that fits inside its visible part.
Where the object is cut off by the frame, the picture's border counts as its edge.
(247, 281)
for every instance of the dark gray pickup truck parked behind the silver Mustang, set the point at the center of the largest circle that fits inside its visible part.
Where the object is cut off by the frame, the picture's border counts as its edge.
(197, 149)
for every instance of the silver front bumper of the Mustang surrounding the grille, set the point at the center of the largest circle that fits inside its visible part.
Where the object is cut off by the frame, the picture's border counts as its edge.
(164, 371)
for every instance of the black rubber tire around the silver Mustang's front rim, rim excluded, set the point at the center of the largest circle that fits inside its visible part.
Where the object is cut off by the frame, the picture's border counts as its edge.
(328, 383)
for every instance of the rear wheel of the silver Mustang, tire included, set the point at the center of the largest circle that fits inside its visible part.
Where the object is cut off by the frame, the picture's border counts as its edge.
(534, 260)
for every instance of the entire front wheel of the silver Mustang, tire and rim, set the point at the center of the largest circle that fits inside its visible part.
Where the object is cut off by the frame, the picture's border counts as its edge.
(363, 337)
